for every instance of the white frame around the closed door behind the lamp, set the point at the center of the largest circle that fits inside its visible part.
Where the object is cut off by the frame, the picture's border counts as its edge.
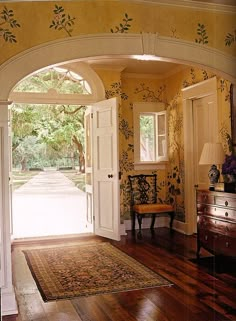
(189, 94)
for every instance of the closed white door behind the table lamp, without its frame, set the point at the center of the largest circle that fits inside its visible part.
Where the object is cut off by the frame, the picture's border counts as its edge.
(205, 130)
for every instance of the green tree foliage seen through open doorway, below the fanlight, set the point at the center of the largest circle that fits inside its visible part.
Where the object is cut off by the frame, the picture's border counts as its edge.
(50, 130)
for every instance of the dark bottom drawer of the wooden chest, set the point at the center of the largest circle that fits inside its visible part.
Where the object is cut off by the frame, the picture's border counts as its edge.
(217, 243)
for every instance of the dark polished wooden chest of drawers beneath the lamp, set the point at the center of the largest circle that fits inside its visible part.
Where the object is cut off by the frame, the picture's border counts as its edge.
(216, 222)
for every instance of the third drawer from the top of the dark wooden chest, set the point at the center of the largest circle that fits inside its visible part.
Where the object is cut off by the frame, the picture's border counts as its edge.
(216, 226)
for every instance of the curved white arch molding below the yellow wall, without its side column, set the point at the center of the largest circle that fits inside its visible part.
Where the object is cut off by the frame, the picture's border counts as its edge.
(80, 48)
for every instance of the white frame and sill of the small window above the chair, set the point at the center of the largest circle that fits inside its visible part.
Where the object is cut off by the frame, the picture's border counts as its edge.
(145, 108)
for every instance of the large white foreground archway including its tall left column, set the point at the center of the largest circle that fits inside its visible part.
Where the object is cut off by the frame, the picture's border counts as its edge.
(80, 48)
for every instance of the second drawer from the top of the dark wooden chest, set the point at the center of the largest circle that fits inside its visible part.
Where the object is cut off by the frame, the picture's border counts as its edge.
(218, 212)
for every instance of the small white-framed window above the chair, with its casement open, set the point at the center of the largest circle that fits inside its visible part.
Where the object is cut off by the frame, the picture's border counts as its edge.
(150, 135)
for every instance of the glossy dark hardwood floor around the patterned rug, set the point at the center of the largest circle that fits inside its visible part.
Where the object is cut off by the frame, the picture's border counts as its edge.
(198, 293)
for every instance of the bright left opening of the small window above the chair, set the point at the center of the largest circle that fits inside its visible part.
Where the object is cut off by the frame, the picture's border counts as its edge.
(147, 138)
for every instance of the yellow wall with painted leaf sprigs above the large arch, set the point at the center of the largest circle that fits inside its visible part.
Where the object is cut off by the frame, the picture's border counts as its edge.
(33, 20)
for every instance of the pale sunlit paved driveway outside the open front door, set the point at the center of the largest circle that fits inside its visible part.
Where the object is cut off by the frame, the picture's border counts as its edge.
(49, 204)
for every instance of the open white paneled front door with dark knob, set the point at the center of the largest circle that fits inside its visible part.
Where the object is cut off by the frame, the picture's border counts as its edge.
(106, 169)
